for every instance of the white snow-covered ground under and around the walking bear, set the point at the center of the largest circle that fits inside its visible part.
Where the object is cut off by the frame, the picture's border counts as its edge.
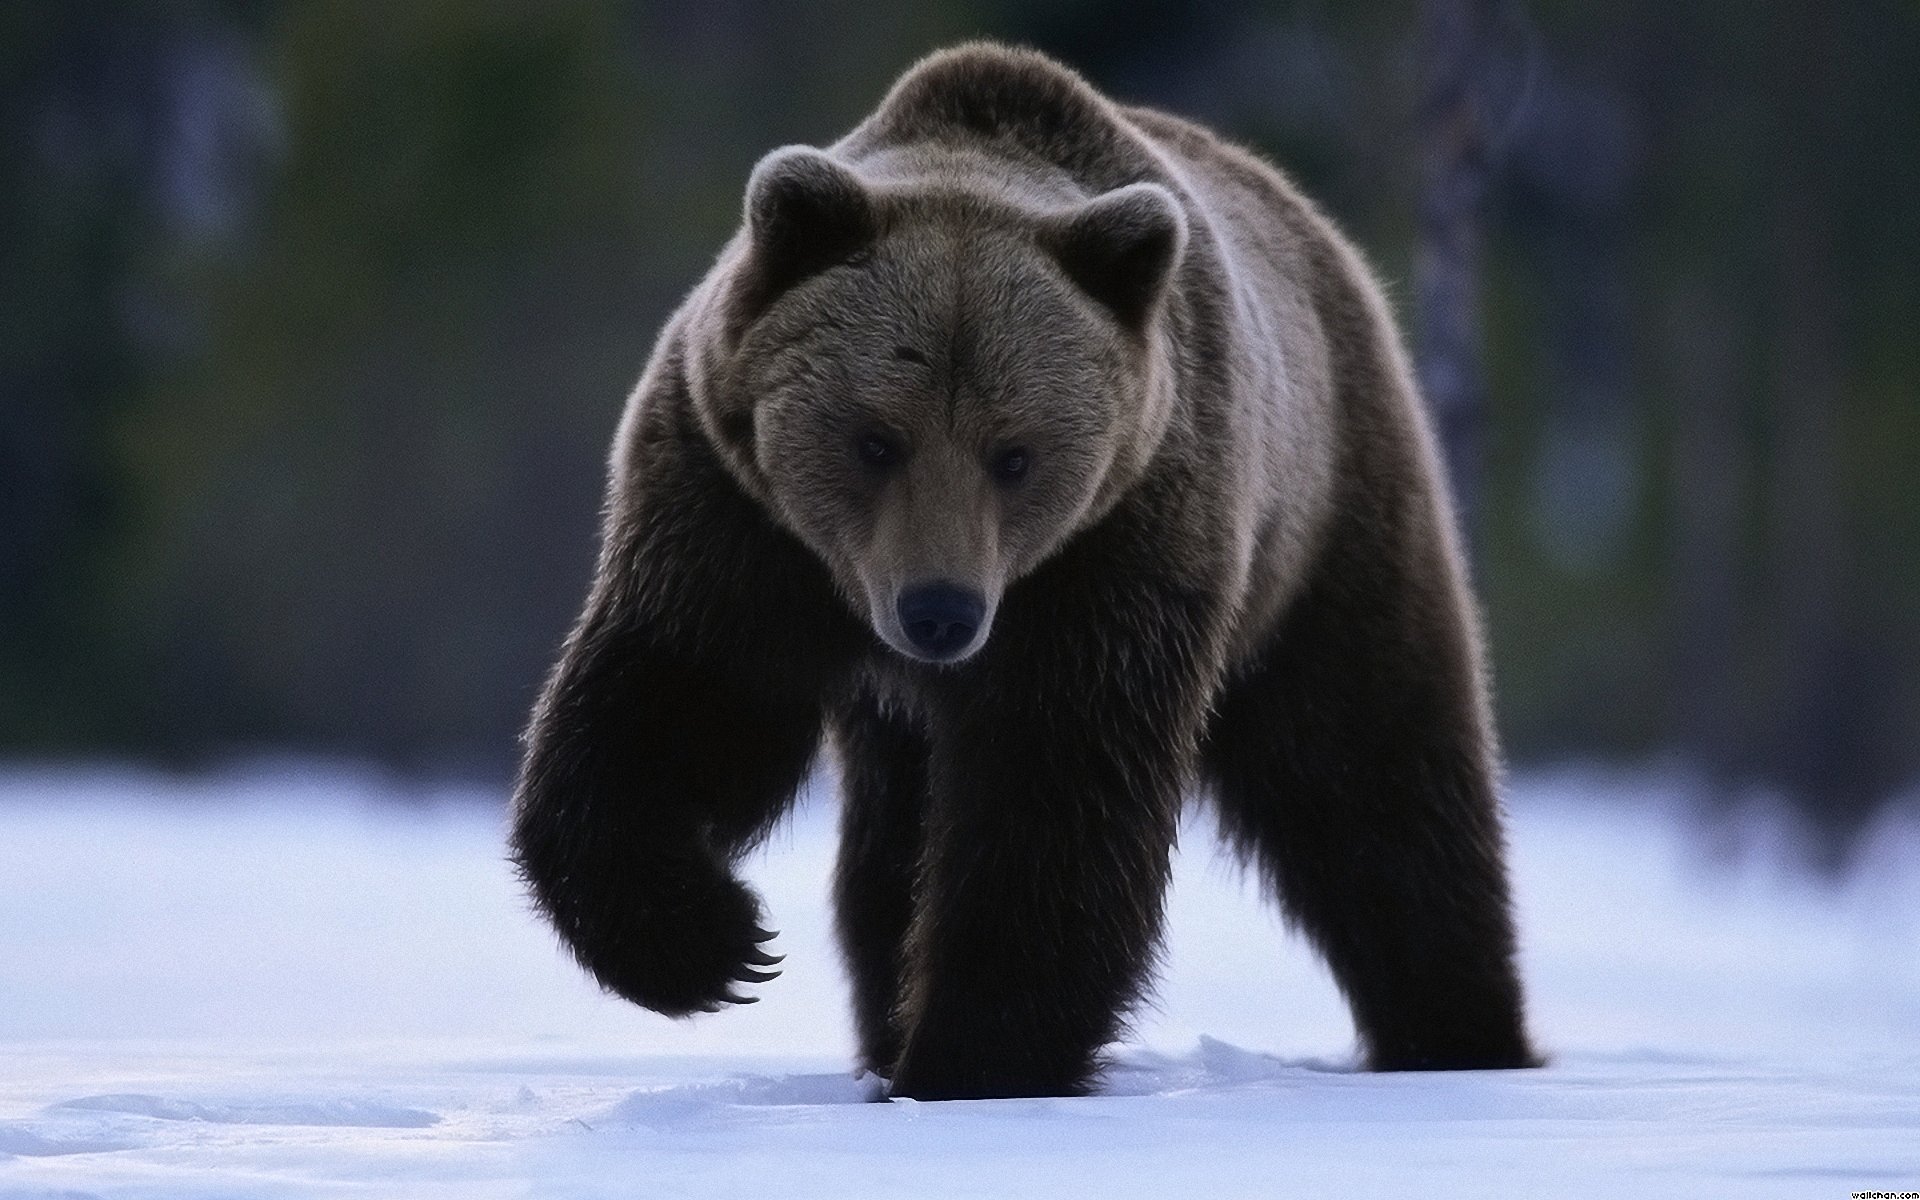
(297, 982)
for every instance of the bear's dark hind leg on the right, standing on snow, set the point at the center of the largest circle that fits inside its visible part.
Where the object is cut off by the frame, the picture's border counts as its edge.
(1353, 765)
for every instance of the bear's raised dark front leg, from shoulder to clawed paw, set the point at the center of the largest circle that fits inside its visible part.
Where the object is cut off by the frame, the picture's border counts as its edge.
(675, 731)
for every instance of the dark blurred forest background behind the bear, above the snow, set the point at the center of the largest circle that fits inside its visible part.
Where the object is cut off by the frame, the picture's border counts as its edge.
(316, 322)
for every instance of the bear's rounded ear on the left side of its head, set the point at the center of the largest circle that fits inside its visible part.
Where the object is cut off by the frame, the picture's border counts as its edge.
(805, 212)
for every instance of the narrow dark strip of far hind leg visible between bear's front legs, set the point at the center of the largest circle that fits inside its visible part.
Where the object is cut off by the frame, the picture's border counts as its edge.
(884, 765)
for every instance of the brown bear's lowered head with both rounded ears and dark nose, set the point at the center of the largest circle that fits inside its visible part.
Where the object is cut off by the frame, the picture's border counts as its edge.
(932, 385)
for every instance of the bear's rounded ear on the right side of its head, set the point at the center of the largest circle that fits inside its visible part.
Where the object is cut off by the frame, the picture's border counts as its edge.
(1122, 249)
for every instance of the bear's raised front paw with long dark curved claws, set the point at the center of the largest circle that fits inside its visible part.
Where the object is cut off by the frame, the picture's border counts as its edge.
(690, 953)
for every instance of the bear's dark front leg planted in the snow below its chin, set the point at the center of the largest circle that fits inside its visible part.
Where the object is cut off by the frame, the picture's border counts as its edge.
(1055, 782)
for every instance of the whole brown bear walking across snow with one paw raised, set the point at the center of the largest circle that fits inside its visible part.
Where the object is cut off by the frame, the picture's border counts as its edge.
(1051, 460)
